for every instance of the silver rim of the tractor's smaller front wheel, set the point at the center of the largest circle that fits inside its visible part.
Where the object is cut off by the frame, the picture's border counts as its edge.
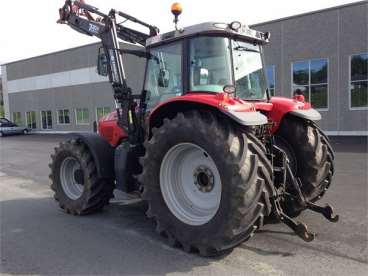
(69, 170)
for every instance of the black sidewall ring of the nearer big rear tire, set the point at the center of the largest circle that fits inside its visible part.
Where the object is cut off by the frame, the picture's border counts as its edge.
(195, 234)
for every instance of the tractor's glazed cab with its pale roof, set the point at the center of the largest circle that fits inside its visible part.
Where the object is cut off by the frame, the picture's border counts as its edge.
(208, 58)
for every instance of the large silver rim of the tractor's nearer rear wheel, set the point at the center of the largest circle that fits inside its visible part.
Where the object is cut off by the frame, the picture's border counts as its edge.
(190, 184)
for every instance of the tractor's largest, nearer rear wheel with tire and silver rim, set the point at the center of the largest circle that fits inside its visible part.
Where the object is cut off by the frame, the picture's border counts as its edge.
(206, 183)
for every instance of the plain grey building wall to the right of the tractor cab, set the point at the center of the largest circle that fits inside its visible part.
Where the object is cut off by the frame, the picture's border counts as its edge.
(334, 34)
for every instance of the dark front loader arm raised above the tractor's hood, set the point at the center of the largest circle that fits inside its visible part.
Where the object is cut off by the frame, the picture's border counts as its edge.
(80, 16)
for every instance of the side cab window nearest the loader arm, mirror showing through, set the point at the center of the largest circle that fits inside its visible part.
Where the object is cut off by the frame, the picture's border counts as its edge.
(164, 74)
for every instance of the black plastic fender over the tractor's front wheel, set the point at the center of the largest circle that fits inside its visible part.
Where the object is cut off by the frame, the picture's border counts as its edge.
(102, 153)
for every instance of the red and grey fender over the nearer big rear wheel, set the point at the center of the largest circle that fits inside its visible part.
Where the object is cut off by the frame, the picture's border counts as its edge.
(238, 111)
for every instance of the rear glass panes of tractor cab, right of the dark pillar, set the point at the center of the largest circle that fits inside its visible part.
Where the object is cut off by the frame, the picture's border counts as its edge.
(218, 61)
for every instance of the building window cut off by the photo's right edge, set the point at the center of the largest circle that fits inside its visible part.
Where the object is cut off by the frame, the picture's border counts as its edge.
(359, 81)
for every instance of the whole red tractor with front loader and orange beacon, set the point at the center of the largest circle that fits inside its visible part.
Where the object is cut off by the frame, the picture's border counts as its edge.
(203, 144)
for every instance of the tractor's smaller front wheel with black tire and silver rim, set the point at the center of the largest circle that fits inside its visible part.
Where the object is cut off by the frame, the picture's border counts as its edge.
(74, 179)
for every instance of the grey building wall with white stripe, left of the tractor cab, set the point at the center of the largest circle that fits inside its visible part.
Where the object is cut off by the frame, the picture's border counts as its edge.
(54, 90)
